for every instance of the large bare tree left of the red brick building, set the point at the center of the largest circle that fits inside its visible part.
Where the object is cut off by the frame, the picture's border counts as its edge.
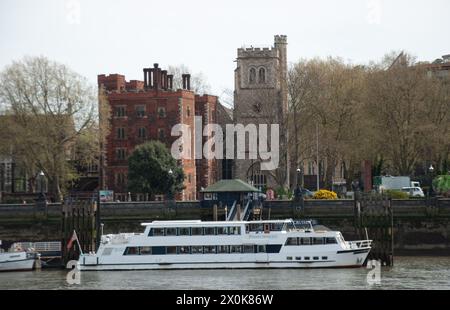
(50, 108)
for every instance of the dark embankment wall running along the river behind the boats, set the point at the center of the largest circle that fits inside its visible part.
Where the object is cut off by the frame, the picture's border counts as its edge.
(420, 227)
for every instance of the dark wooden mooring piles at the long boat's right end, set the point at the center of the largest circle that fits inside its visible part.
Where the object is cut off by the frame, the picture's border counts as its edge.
(374, 219)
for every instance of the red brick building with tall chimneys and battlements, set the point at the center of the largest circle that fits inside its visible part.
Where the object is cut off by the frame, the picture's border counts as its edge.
(147, 110)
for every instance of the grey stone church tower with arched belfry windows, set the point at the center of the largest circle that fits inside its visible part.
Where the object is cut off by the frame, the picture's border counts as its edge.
(260, 97)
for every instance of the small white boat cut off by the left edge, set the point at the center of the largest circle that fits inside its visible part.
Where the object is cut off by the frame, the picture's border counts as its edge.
(19, 260)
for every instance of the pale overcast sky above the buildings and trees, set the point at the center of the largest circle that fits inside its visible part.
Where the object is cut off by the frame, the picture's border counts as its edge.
(112, 36)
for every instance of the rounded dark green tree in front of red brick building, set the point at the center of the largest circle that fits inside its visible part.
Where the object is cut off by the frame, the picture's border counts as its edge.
(149, 168)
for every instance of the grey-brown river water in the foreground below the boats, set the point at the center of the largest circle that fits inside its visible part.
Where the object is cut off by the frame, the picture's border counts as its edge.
(408, 273)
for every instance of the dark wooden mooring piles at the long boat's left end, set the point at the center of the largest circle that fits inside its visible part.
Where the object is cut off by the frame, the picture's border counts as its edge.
(79, 215)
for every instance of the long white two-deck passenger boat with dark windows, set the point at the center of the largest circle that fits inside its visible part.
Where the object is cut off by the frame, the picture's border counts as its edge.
(230, 244)
